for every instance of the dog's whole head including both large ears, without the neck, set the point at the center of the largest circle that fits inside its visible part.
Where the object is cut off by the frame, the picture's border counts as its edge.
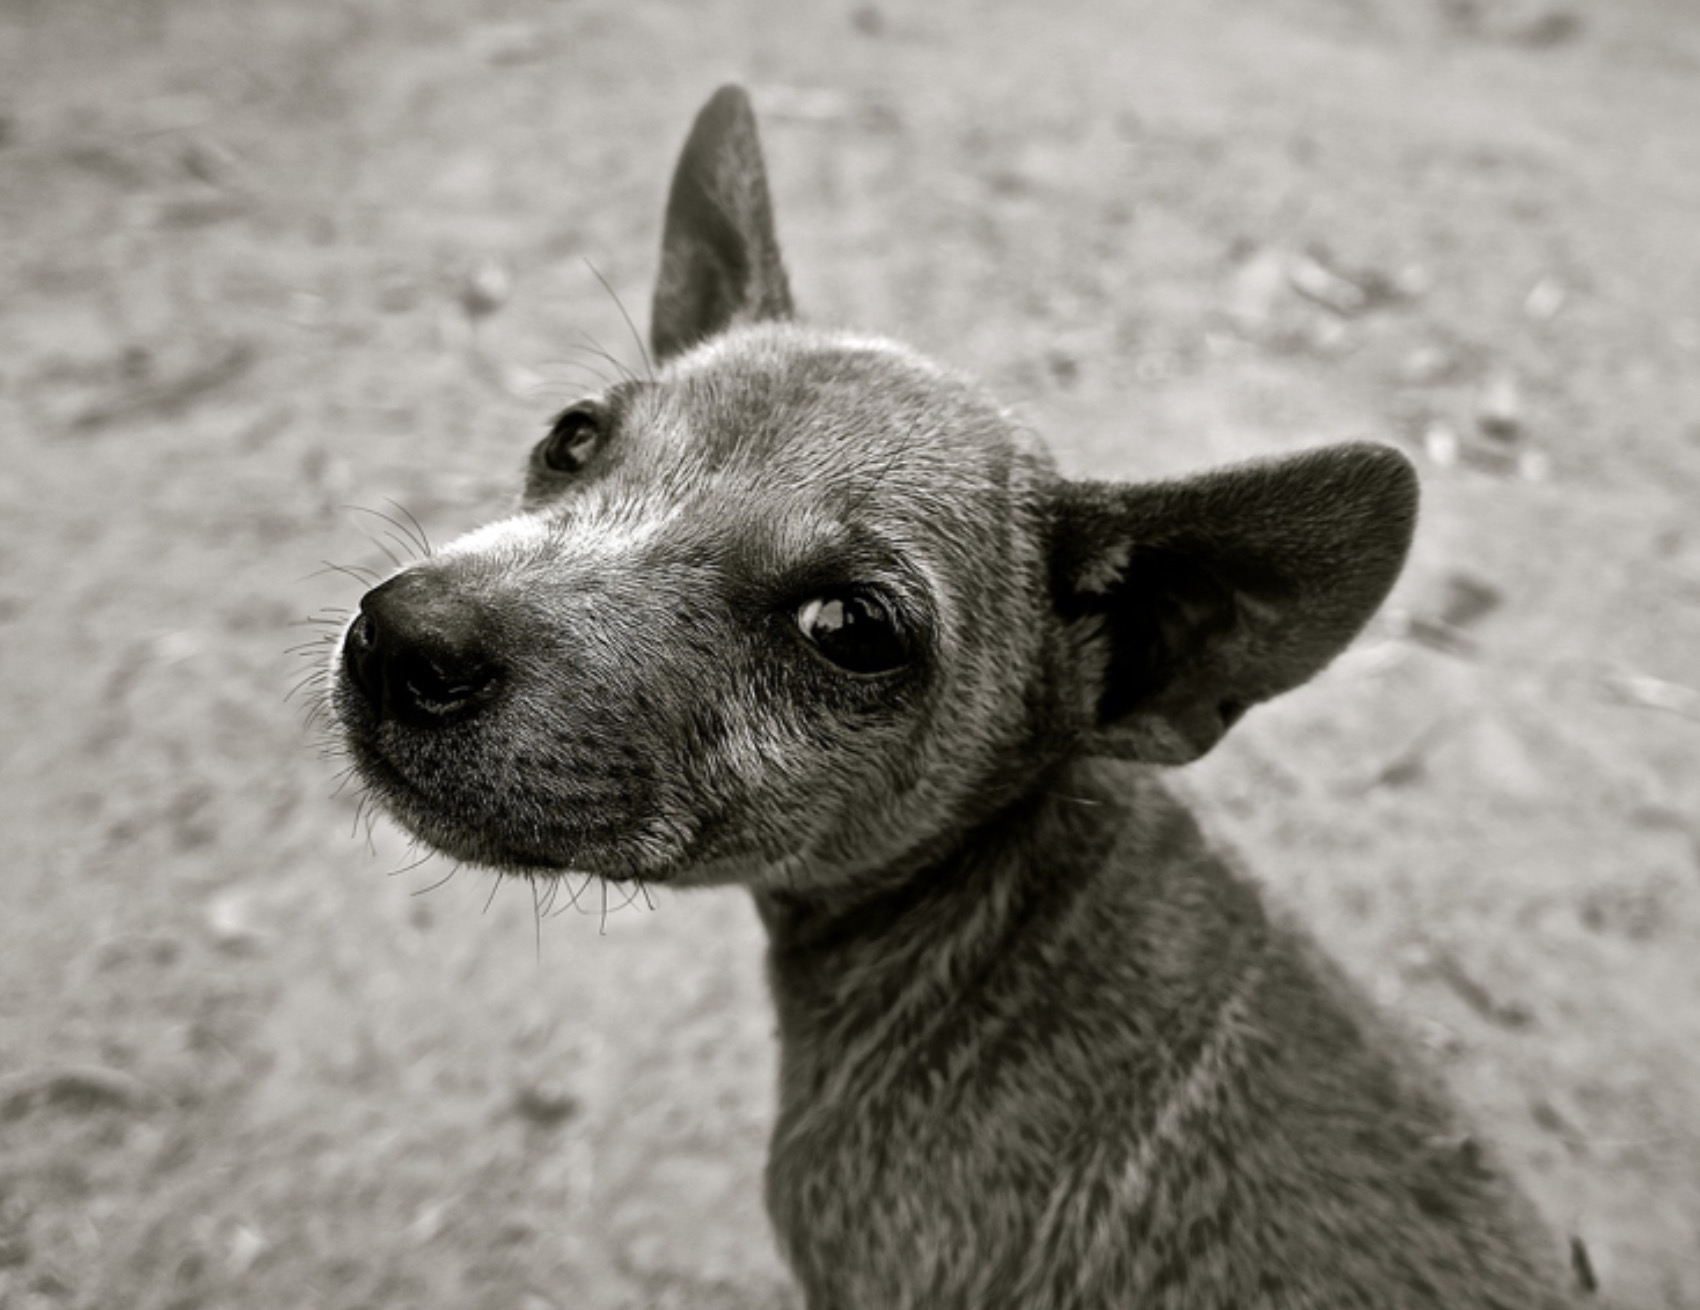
(803, 604)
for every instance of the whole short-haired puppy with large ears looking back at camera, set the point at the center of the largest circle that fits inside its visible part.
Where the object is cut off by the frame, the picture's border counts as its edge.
(808, 613)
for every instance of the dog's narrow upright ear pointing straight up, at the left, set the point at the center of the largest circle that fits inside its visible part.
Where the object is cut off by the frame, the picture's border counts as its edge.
(720, 257)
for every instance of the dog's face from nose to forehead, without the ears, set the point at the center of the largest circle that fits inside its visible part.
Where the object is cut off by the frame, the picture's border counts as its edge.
(769, 618)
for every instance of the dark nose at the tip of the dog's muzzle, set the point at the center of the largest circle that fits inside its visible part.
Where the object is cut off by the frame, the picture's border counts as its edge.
(419, 652)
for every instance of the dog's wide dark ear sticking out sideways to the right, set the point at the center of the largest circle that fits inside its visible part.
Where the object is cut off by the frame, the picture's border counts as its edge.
(1194, 601)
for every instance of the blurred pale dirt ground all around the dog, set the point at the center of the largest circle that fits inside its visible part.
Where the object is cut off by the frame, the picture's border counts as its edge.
(266, 263)
